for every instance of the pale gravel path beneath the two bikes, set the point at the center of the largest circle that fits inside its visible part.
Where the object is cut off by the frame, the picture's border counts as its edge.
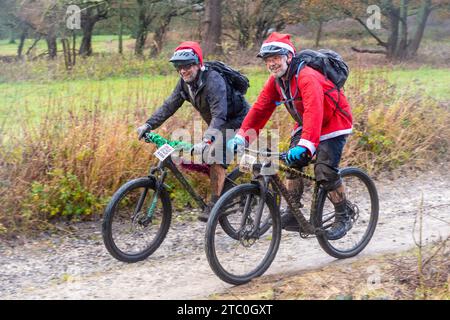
(77, 266)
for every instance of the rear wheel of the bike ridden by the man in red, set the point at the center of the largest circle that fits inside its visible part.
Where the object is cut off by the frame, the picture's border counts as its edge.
(362, 198)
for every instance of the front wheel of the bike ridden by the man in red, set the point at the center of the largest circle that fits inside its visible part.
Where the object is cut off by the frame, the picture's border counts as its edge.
(238, 261)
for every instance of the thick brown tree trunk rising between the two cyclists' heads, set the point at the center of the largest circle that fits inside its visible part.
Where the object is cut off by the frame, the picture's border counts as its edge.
(213, 27)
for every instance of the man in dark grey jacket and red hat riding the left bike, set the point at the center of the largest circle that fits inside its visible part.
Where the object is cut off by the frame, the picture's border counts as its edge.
(221, 107)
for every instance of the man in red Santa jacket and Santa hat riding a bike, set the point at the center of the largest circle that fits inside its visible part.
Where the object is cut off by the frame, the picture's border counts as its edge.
(323, 121)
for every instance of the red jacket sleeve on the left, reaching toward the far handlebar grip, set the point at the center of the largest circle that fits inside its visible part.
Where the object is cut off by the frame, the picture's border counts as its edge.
(260, 112)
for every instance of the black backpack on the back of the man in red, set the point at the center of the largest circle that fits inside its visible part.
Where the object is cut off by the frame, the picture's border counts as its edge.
(328, 62)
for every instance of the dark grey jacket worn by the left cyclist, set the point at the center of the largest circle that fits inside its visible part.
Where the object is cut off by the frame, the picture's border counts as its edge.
(208, 95)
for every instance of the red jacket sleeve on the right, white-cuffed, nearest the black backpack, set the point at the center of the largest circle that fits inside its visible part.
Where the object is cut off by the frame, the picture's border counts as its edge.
(313, 99)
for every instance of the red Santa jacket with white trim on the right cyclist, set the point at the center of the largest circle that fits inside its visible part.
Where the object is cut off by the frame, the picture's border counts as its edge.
(319, 114)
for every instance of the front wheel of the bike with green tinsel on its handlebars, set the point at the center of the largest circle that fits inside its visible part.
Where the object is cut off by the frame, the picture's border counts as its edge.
(136, 220)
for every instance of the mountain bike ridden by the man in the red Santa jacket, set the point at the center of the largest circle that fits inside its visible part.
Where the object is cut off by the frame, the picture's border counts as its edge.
(253, 210)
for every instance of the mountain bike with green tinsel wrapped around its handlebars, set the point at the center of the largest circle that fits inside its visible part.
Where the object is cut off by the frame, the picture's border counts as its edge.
(138, 216)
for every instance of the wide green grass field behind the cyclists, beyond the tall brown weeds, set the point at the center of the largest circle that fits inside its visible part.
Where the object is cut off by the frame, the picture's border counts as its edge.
(30, 100)
